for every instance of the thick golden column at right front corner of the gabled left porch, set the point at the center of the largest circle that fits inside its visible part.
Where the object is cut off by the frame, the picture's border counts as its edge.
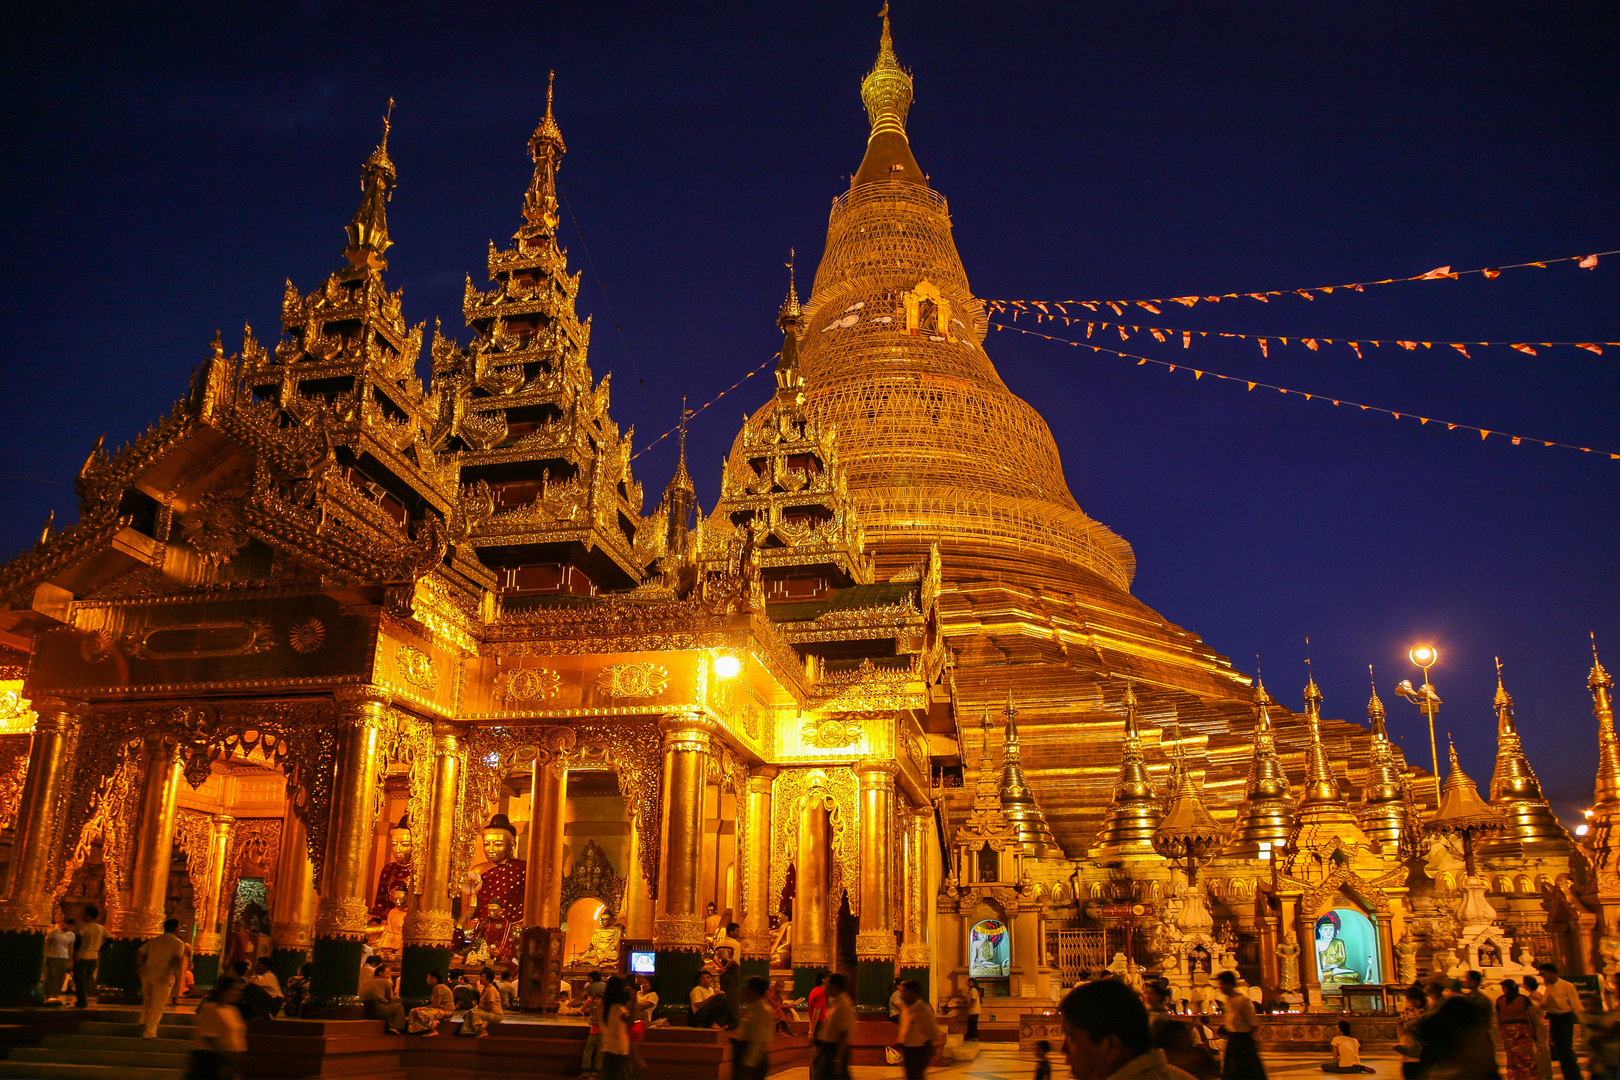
(341, 917)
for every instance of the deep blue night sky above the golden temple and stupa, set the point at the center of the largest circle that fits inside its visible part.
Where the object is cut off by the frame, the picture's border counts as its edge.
(164, 177)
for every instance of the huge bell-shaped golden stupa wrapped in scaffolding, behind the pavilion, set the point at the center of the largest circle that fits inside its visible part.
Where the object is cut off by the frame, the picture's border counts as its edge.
(939, 451)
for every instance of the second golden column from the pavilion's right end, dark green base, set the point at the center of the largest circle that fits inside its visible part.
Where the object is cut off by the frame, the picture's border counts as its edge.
(876, 940)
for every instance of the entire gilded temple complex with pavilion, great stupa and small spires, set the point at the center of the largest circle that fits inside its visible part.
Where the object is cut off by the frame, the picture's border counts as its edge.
(339, 655)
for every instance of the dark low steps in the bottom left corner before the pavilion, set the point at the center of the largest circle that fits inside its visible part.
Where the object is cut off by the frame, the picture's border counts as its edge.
(108, 1047)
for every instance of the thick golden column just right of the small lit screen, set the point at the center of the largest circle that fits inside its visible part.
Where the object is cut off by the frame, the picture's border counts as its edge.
(678, 932)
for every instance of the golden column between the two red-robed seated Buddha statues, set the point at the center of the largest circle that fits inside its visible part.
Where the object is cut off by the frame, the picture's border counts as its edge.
(430, 927)
